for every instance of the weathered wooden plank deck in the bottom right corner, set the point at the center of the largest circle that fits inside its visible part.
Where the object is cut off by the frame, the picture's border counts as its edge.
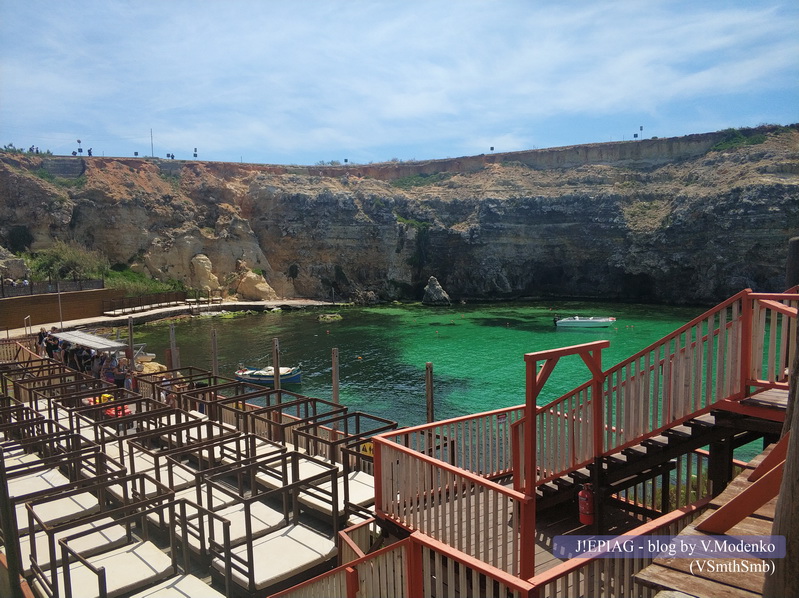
(725, 578)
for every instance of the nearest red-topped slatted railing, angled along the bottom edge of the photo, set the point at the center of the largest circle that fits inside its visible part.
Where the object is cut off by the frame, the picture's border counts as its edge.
(422, 566)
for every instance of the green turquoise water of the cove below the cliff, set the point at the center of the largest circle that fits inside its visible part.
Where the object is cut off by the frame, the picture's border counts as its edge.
(477, 350)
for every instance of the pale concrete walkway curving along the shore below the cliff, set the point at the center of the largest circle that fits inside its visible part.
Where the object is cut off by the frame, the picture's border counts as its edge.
(167, 312)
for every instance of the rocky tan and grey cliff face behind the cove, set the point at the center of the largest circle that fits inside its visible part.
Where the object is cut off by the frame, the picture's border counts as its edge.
(669, 221)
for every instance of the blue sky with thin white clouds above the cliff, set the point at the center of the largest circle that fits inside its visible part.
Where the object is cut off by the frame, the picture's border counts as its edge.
(304, 81)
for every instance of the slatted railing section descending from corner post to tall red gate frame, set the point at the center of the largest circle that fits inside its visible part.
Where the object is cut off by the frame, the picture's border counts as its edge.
(463, 510)
